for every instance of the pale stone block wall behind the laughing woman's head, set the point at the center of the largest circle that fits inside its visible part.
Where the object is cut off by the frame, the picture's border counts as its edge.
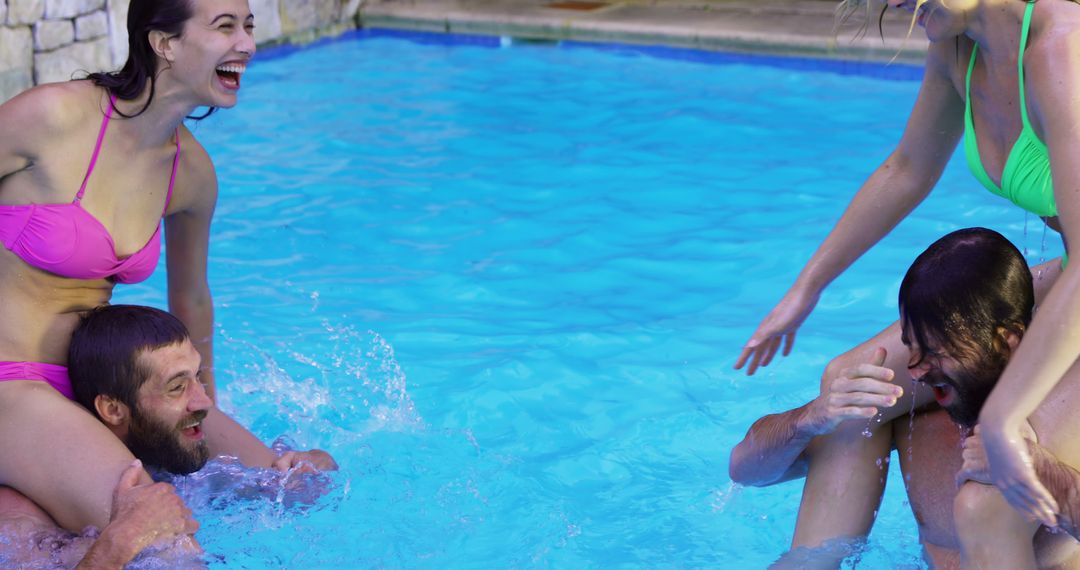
(43, 42)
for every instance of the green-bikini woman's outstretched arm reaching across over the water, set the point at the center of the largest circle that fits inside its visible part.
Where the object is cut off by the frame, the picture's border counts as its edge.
(892, 193)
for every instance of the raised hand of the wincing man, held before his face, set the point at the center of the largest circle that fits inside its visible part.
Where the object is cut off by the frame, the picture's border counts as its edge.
(859, 392)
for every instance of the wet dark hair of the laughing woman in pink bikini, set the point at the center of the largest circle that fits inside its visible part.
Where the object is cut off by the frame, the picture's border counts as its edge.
(145, 17)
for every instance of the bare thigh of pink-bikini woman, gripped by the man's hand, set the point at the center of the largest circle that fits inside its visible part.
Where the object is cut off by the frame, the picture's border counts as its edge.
(59, 455)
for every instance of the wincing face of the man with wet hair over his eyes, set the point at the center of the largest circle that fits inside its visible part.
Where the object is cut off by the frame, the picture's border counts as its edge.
(961, 386)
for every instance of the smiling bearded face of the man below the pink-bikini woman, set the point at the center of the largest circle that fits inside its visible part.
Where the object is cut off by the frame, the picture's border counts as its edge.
(166, 429)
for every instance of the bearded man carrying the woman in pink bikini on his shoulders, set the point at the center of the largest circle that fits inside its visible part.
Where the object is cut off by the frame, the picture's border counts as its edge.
(137, 370)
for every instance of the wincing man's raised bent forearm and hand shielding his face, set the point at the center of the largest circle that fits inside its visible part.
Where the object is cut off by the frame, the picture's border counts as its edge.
(775, 449)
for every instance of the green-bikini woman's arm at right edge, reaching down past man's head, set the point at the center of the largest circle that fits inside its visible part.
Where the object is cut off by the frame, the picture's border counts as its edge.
(1052, 344)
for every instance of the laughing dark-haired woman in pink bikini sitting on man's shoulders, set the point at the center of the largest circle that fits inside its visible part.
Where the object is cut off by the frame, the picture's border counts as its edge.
(88, 171)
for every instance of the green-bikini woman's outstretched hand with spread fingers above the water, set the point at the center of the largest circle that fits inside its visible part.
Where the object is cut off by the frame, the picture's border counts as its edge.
(779, 327)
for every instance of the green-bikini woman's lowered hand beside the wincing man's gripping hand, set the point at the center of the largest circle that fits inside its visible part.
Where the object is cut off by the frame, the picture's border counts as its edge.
(1012, 472)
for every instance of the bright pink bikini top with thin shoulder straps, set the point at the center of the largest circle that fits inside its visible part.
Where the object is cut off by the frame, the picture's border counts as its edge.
(69, 241)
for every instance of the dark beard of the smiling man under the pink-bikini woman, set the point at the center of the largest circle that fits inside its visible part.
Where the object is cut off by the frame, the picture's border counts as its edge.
(159, 445)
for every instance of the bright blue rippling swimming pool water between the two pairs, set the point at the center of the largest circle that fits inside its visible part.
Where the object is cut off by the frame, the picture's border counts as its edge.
(506, 288)
